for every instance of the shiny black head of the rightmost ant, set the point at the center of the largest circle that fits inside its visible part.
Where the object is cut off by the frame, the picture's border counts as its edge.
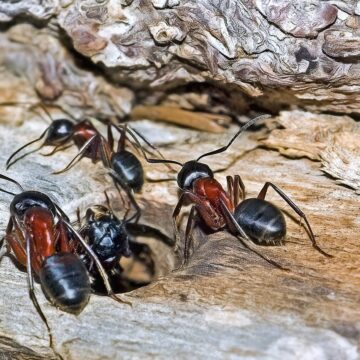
(191, 171)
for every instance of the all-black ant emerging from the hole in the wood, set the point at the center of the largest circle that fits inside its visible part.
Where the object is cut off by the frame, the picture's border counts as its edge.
(109, 238)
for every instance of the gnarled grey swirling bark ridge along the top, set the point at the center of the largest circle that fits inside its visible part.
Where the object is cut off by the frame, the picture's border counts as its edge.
(277, 53)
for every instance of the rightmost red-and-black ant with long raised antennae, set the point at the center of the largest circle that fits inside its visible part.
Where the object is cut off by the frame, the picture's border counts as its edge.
(253, 219)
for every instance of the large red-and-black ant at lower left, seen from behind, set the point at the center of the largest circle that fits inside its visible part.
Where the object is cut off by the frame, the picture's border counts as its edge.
(43, 240)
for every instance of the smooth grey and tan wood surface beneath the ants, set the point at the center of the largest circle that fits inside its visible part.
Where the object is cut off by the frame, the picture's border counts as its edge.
(227, 302)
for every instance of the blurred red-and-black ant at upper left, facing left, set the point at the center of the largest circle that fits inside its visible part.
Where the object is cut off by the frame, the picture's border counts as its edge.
(124, 167)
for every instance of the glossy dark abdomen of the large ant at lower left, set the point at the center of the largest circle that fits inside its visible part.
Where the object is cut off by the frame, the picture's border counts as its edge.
(65, 281)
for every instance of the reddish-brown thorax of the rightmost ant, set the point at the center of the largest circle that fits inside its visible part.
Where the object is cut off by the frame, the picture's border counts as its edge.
(211, 194)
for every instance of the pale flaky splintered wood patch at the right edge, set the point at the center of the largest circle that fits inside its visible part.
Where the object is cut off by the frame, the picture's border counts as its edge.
(333, 140)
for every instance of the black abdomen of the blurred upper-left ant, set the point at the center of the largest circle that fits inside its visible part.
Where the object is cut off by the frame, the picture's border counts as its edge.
(129, 169)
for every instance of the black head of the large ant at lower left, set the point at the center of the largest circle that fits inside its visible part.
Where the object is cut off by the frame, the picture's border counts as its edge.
(29, 199)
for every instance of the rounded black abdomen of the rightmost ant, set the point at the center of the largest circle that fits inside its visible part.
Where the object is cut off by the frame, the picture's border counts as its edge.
(262, 221)
